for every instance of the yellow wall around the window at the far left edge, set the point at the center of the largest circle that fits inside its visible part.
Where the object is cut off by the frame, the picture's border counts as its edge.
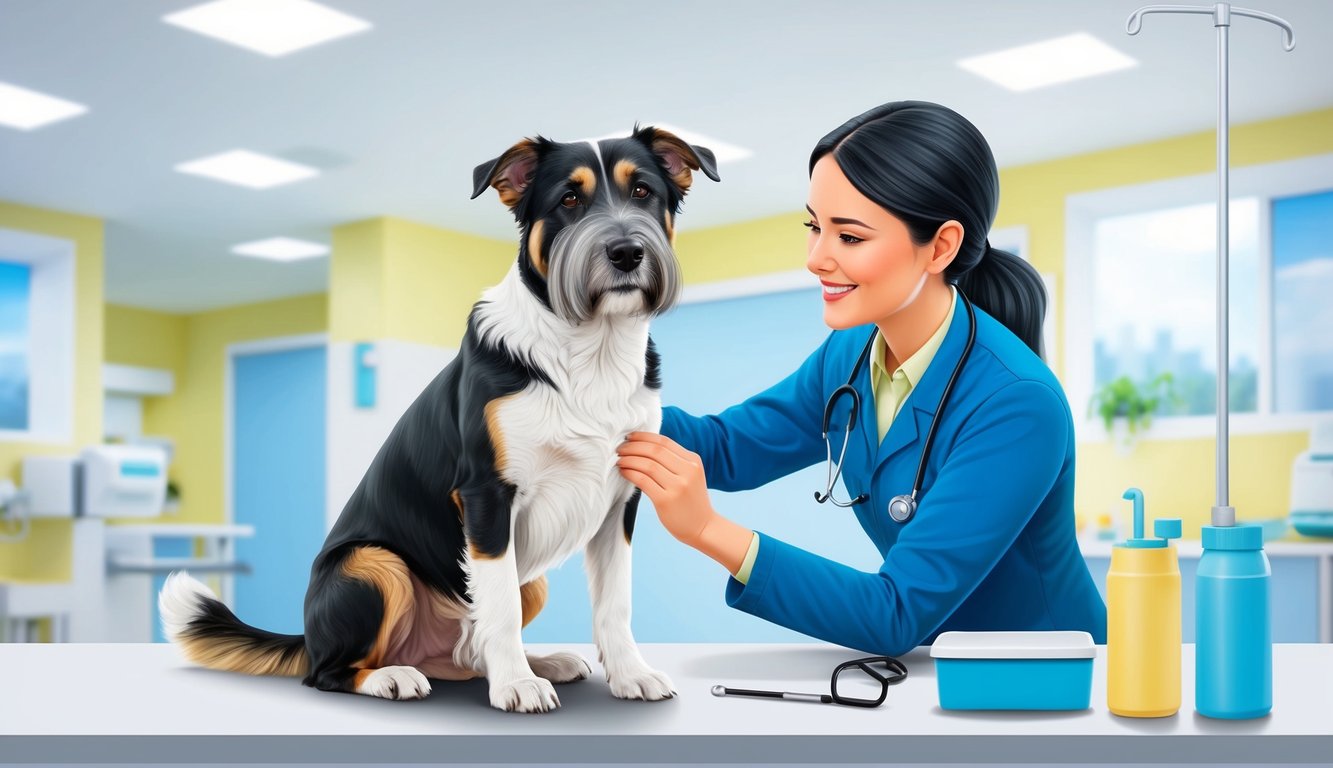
(46, 553)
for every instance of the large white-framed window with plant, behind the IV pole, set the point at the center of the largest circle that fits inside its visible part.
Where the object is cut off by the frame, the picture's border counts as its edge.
(1142, 297)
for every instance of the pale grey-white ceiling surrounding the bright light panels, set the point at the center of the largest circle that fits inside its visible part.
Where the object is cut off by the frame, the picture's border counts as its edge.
(397, 118)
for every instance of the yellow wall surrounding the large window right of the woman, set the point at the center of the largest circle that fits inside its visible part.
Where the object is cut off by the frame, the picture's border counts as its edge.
(1178, 477)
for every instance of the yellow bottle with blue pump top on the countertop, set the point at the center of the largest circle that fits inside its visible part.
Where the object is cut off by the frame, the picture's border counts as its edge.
(1143, 621)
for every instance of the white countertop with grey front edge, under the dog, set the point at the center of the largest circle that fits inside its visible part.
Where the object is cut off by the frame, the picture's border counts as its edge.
(142, 703)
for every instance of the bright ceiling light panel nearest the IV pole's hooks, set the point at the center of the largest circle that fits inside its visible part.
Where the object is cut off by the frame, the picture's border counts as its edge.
(1050, 62)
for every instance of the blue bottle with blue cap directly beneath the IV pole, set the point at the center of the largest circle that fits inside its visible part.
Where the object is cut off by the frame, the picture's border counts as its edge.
(1234, 653)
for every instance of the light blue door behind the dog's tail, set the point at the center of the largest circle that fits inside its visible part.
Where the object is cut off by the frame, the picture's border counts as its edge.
(278, 481)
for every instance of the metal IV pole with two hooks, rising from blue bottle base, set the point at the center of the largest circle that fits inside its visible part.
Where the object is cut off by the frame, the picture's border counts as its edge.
(1234, 650)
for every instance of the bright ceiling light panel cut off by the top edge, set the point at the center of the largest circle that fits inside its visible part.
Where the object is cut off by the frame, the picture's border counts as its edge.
(270, 27)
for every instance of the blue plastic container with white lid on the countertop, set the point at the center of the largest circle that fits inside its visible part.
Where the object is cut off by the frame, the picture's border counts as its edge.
(1014, 670)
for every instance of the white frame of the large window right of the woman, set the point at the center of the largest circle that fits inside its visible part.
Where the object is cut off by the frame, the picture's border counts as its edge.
(1268, 181)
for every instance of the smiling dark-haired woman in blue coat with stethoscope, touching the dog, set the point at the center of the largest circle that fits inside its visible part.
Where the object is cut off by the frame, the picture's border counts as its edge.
(975, 522)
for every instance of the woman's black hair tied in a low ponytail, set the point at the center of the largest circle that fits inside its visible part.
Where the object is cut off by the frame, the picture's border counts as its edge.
(927, 165)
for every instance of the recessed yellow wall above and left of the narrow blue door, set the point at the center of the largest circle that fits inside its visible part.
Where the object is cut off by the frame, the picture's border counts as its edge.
(194, 347)
